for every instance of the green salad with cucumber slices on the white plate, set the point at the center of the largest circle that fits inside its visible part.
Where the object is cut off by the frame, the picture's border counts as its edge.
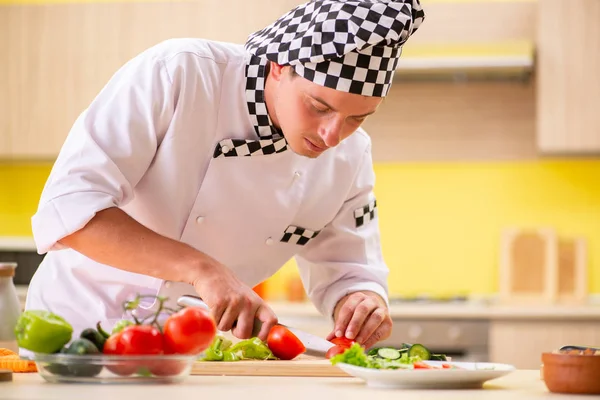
(408, 356)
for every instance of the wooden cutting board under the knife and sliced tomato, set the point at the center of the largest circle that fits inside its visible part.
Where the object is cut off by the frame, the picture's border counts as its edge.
(301, 367)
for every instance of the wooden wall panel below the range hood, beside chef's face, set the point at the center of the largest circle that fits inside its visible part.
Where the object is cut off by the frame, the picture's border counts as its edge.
(448, 121)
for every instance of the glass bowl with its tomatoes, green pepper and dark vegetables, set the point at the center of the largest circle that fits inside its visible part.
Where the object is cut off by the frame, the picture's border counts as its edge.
(135, 351)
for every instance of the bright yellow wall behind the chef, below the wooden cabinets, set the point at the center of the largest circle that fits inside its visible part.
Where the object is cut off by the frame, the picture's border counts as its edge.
(440, 222)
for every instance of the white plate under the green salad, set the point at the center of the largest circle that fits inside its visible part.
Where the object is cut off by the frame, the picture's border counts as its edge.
(472, 375)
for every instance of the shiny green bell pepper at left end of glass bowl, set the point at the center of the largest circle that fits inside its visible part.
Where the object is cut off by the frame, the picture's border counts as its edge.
(41, 331)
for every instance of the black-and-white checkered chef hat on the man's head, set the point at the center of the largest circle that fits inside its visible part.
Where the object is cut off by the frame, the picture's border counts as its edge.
(348, 45)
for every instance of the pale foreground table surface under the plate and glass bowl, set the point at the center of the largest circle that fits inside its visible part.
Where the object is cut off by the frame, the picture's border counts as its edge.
(521, 384)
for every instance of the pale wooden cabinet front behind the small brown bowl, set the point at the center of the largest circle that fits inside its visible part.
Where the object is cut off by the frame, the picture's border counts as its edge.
(522, 343)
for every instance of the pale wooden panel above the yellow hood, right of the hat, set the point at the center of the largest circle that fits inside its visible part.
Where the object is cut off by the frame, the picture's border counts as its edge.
(477, 21)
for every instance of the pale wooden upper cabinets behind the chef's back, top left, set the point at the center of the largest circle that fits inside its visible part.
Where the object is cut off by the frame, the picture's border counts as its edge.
(60, 56)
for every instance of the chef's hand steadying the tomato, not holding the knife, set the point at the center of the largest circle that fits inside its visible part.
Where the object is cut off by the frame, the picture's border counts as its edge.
(363, 317)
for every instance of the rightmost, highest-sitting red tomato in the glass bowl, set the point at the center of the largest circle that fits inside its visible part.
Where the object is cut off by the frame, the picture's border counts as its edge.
(189, 331)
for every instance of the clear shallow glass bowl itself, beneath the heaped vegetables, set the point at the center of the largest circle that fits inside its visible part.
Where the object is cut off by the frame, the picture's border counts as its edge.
(99, 368)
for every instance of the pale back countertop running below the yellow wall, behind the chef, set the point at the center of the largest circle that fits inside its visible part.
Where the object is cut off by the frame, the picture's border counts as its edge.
(468, 310)
